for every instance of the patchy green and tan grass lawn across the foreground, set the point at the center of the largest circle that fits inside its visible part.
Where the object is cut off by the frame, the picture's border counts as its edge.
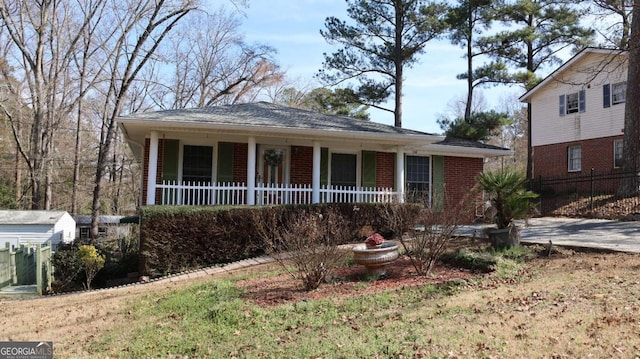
(568, 305)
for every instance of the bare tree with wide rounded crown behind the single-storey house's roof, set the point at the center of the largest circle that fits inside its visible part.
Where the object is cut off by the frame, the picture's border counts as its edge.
(213, 65)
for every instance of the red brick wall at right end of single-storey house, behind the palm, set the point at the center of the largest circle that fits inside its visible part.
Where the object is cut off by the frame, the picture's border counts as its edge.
(460, 178)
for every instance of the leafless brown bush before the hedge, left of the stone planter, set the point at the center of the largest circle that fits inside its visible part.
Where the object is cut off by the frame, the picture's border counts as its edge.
(305, 244)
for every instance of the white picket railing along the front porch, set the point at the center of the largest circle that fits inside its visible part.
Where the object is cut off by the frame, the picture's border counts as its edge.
(194, 193)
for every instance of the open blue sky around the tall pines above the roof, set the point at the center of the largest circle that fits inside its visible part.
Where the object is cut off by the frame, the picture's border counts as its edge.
(292, 27)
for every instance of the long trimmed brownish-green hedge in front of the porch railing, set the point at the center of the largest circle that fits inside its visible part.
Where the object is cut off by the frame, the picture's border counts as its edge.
(178, 238)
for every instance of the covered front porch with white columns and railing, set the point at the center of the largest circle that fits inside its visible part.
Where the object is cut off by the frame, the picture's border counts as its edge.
(269, 181)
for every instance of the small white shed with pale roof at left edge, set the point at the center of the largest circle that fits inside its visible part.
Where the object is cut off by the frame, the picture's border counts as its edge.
(36, 227)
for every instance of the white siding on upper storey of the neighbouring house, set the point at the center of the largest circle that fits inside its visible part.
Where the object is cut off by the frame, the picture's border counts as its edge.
(589, 74)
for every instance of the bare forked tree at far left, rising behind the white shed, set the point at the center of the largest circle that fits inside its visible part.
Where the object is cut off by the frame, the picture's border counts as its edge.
(43, 36)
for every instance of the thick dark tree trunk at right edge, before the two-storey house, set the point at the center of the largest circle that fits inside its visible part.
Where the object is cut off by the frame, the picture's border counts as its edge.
(631, 140)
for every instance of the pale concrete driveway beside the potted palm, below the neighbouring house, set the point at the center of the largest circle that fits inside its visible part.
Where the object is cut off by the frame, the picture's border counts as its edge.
(576, 232)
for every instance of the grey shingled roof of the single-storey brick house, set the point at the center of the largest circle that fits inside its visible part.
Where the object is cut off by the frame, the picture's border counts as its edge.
(281, 121)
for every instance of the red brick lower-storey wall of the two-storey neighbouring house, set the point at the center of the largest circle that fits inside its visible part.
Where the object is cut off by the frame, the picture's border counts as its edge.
(552, 160)
